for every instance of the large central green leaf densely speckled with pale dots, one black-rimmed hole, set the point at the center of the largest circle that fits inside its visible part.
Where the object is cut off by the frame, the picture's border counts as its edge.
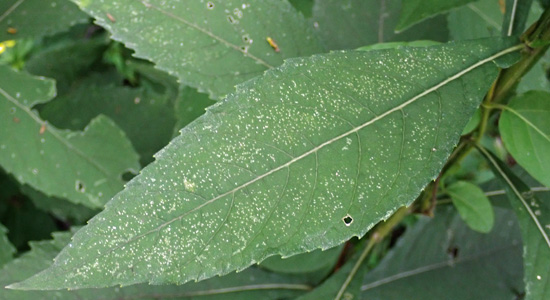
(255, 176)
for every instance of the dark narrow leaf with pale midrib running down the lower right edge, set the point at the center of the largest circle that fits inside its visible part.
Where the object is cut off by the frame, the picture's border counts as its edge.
(534, 220)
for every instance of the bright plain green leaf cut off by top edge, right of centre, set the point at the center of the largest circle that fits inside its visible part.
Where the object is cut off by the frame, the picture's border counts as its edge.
(414, 11)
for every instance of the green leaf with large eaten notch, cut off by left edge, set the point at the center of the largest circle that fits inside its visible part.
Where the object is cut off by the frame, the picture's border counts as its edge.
(84, 167)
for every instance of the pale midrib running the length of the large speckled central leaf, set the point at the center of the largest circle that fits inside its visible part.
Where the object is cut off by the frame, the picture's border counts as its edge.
(317, 148)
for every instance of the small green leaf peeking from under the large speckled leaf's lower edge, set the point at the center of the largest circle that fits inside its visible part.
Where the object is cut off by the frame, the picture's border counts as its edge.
(303, 263)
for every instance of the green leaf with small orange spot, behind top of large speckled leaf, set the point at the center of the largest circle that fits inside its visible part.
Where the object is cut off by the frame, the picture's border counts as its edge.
(210, 45)
